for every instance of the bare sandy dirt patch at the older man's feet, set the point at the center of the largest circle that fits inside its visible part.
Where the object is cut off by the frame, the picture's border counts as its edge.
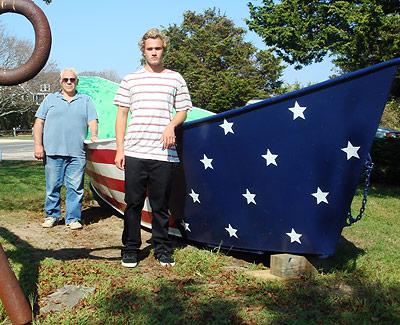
(100, 236)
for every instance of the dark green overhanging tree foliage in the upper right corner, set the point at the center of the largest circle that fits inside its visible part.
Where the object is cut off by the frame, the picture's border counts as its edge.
(355, 33)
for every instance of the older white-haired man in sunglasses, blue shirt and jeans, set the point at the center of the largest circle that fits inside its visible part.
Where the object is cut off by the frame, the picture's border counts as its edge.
(60, 128)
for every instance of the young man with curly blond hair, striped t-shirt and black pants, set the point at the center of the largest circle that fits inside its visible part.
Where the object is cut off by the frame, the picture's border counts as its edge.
(148, 154)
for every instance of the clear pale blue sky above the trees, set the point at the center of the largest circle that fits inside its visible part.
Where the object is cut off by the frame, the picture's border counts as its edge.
(103, 35)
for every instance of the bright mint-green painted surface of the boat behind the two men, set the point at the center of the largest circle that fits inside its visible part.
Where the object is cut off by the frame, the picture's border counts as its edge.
(102, 91)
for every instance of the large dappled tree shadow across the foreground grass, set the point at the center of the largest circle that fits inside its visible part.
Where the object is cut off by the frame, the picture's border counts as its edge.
(307, 301)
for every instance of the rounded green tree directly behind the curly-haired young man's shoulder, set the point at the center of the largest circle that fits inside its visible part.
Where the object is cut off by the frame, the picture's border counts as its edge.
(221, 69)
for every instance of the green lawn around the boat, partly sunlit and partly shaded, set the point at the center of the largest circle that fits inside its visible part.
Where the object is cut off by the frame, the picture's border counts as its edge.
(359, 284)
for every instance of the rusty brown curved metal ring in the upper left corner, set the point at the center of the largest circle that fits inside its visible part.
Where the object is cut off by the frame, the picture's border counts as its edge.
(41, 52)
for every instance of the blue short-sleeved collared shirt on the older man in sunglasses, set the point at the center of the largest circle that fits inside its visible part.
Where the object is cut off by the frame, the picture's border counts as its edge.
(66, 123)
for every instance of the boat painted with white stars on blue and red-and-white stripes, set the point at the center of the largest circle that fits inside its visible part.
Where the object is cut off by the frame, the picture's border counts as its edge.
(276, 176)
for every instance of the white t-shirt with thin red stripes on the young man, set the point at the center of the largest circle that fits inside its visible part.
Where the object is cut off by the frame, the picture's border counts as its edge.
(151, 98)
